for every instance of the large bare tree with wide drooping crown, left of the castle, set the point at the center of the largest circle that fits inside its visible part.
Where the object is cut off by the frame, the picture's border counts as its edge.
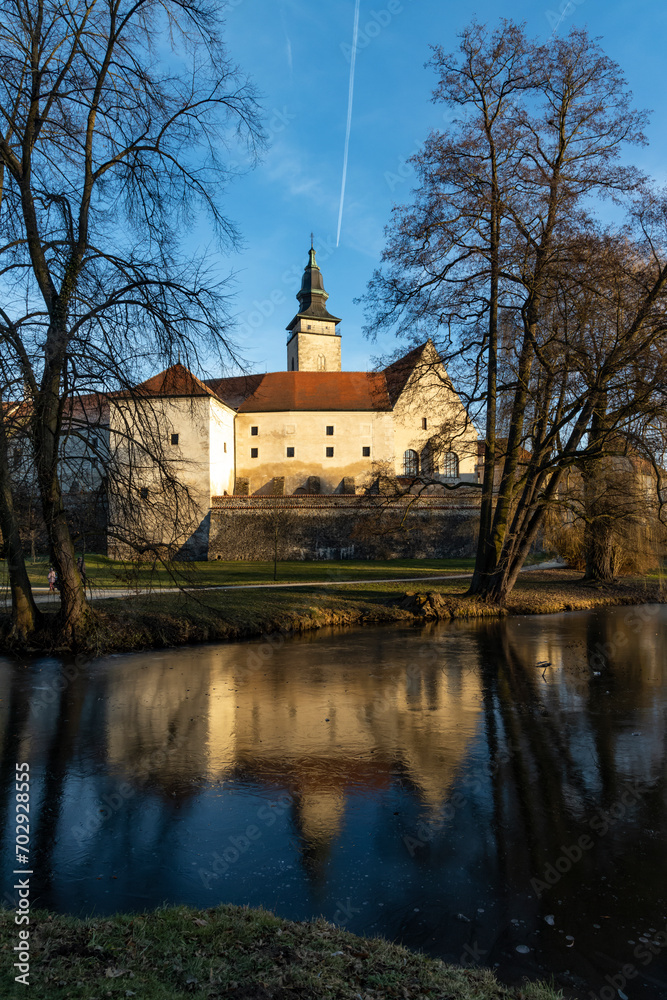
(112, 146)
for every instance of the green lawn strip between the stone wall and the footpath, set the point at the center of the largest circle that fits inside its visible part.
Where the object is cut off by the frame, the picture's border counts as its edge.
(108, 573)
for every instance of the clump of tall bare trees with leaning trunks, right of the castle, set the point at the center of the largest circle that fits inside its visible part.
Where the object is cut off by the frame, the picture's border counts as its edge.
(557, 147)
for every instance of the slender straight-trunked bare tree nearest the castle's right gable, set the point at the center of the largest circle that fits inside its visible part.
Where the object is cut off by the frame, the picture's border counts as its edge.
(444, 251)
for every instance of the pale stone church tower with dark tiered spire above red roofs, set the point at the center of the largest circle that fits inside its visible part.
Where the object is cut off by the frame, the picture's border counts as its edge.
(313, 344)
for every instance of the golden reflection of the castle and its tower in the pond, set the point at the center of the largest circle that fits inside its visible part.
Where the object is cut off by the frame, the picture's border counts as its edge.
(292, 725)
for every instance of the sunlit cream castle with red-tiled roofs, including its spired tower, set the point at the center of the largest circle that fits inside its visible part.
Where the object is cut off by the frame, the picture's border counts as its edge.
(313, 428)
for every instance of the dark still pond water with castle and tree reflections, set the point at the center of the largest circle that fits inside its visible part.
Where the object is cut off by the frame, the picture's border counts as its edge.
(433, 785)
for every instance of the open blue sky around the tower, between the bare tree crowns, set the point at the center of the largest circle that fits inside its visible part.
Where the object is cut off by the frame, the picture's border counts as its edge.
(298, 54)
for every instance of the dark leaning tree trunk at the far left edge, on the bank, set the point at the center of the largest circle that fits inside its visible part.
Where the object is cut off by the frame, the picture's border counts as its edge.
(25, 615)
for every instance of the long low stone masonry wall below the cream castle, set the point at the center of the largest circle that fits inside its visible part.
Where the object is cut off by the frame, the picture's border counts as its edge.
(340, 527)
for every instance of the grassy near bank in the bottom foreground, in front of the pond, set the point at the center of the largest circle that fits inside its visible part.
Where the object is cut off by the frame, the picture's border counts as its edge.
(234, 953)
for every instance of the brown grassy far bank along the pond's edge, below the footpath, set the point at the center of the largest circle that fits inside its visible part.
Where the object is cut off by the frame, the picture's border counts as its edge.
(166, 620)
